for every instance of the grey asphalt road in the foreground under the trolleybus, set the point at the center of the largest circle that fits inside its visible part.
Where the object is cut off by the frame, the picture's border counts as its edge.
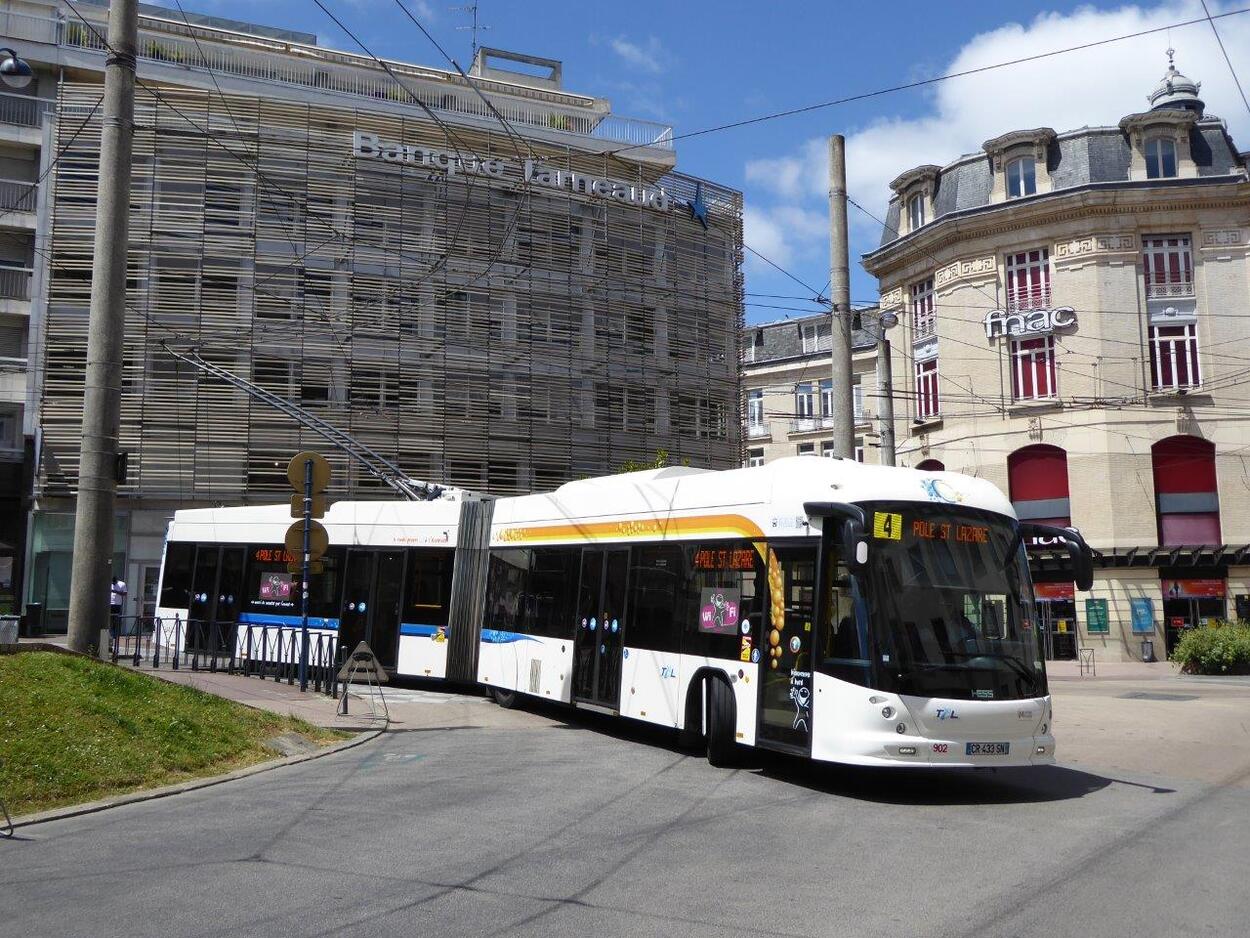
(547, 827)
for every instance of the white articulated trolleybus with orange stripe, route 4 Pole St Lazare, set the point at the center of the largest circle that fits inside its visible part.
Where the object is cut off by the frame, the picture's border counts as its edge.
(824, 608)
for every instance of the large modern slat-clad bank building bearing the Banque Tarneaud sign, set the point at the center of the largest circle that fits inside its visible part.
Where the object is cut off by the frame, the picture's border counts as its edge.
(496, 308)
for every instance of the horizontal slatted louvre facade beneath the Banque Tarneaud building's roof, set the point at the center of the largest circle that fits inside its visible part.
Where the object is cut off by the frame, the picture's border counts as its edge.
(484, 332)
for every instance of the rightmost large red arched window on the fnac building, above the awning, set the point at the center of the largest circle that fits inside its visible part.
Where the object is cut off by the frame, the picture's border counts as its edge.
(1186, 488)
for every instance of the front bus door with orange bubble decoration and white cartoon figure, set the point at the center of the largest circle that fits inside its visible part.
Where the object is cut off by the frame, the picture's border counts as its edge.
(786, 685)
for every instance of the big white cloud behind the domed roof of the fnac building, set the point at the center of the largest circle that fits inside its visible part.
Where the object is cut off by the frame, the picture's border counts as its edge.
(1094, 87)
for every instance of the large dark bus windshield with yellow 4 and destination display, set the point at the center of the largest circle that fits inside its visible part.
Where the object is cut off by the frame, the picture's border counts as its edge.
(952, 605)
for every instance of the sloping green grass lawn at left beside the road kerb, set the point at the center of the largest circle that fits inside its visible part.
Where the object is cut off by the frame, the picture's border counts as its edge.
(74, 730)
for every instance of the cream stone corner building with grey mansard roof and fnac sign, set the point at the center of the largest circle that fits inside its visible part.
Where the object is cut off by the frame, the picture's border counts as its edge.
(1078, 307)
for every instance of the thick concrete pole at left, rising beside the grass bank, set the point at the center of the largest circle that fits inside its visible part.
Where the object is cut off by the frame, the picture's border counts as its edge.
(102, 396)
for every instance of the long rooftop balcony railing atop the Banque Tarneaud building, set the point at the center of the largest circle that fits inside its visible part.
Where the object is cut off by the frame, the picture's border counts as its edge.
(344, 73)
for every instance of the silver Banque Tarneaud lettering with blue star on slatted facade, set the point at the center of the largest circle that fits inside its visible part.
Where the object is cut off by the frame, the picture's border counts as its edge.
(371, 147)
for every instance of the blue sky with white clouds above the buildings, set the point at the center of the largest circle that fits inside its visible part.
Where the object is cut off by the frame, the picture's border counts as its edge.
(704, 63)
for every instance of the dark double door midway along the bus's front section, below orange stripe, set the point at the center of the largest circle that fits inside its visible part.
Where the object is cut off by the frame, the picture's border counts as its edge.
(601, 637)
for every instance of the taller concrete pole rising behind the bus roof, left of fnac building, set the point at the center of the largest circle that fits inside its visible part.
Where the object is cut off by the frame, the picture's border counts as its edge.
(841, 292)
